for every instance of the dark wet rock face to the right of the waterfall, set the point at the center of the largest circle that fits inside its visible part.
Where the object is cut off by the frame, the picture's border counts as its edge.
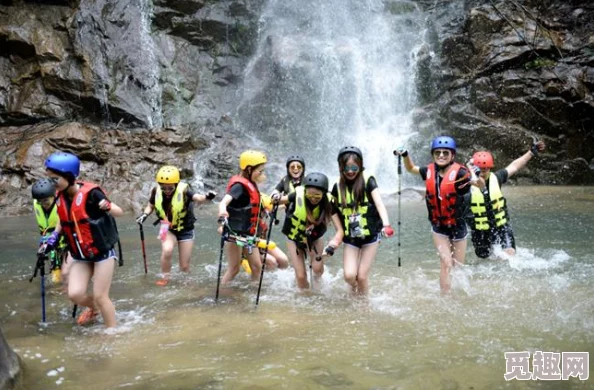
(509, 72)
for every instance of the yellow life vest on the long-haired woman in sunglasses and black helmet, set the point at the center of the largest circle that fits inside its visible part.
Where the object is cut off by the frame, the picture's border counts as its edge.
(367, 213)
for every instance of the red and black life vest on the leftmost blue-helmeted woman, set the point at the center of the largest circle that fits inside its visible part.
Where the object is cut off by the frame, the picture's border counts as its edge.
(86, 237)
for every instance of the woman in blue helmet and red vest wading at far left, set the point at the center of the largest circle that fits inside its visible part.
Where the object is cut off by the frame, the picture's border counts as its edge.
(87, 222)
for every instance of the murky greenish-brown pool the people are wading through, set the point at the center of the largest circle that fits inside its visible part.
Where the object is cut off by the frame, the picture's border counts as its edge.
(406, 337)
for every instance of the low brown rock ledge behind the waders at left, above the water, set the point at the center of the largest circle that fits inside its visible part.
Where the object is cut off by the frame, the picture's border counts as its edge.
(123, 162)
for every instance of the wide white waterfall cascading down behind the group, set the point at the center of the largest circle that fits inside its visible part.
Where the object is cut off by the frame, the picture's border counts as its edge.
(330, 73)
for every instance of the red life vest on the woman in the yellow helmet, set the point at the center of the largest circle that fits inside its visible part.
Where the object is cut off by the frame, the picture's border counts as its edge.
(245, 219)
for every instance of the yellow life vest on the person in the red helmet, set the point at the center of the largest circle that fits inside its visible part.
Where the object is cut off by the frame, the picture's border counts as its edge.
(497, 205)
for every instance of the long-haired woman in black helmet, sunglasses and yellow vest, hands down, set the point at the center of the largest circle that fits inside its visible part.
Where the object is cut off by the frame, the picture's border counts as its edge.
(363, 217)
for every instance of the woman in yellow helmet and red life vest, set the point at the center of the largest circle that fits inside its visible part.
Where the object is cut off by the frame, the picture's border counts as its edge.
(241, 208)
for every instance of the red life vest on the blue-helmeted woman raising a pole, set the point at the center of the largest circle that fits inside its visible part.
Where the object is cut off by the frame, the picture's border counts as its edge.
(442, 205)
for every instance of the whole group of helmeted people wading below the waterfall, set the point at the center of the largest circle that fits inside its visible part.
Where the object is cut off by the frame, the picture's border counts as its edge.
(77, 218)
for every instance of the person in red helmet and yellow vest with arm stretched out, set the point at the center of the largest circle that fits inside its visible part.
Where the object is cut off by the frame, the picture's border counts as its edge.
(489, 219)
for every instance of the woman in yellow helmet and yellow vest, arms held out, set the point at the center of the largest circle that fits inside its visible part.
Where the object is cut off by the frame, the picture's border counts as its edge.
(173, 201)
